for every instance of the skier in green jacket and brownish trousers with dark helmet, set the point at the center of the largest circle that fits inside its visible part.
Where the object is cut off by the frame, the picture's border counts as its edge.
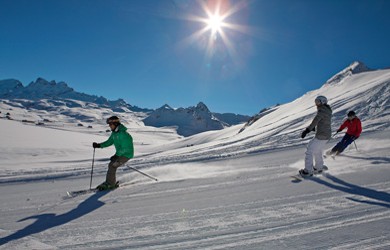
(123, 143)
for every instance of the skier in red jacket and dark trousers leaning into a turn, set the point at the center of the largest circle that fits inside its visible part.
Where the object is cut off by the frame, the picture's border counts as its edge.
(354, 129)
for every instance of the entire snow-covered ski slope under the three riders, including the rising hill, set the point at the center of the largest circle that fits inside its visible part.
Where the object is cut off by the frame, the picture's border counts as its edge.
(216, 190)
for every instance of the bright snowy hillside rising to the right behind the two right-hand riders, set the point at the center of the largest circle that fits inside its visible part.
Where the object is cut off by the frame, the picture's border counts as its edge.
(367, 93)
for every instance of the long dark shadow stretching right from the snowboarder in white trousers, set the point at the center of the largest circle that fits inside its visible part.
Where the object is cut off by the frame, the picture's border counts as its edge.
(380, 198)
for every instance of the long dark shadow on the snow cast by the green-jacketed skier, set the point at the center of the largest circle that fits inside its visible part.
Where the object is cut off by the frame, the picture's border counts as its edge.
(46, 221)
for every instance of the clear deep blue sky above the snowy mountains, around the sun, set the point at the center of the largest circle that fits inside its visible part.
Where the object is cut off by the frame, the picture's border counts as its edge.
(152, 52)
